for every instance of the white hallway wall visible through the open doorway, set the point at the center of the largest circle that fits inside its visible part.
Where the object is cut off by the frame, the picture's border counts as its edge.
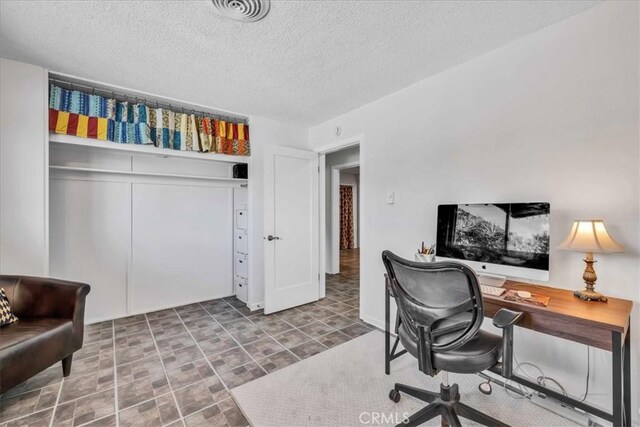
(347, 156)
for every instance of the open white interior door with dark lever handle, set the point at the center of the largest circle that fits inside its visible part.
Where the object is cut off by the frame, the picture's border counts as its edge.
(291, 228)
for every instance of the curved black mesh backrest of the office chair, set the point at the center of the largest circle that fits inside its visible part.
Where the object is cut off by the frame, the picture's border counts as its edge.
(443, 297)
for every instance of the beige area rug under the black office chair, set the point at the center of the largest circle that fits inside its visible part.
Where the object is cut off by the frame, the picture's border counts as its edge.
(347, 386)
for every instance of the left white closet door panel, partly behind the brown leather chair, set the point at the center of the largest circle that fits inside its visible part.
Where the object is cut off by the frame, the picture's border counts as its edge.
(90, 224)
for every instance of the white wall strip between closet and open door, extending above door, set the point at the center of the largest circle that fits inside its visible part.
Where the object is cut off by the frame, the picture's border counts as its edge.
(262, 132)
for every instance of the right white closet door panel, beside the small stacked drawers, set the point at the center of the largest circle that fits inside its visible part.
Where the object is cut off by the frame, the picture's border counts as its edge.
(182, 245)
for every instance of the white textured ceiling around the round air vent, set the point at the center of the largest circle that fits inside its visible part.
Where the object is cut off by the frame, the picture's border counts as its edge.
(304, 63)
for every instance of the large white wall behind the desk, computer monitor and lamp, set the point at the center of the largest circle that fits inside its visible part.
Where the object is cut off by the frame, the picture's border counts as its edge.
(551, 117)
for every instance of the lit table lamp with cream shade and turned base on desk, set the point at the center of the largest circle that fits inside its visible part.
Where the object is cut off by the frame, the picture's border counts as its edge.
(590, 236)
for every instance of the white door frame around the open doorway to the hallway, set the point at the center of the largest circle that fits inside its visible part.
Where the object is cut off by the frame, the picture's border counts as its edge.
(323, 150)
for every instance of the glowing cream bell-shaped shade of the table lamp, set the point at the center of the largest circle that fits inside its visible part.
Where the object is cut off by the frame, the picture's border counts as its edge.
(590, 236)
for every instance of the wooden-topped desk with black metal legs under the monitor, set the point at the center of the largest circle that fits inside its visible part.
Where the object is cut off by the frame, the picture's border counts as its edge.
(597, 324)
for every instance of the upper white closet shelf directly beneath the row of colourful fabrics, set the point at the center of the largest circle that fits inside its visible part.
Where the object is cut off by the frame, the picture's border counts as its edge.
(151, 150)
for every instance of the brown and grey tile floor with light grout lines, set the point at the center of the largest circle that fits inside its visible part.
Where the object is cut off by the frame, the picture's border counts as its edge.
(175, 367)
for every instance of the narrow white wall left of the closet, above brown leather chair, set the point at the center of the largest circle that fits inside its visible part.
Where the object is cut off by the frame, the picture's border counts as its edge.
(23, 171)
